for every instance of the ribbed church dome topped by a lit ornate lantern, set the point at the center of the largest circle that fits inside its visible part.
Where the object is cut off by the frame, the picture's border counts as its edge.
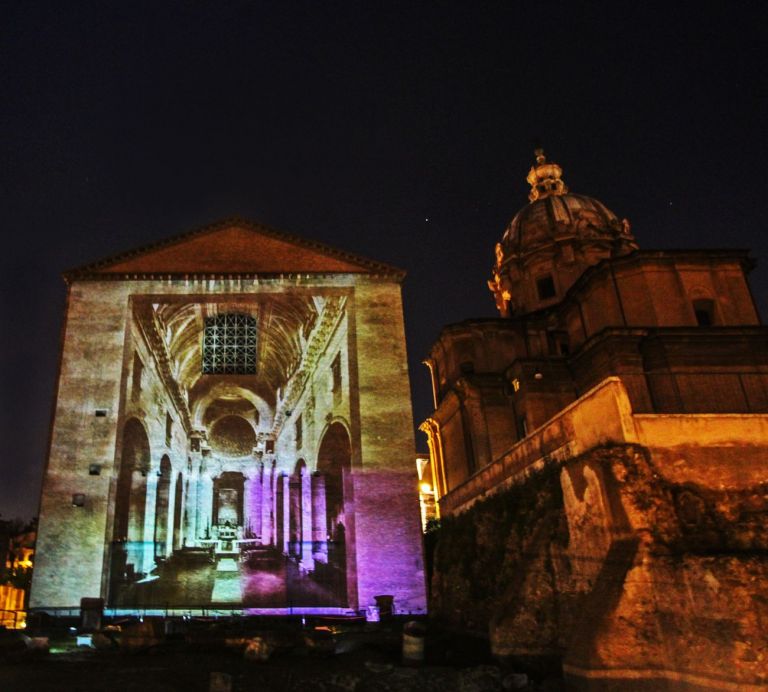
(552, 241)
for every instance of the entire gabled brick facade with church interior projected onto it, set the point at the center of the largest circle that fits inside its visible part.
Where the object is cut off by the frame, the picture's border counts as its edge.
(258, 450)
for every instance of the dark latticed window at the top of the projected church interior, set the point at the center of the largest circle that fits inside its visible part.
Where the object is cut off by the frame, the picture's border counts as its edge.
(229, 345)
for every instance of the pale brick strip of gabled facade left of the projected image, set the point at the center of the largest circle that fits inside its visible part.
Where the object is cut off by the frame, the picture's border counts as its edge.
(71, 540)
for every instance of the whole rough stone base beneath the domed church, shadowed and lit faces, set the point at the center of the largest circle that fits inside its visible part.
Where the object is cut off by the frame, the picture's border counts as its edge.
(622, 572)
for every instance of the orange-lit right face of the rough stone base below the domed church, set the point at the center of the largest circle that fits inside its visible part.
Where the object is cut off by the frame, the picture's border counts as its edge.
(687, 597)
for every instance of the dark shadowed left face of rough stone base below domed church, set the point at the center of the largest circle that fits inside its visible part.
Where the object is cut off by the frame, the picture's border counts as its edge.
(493, 564)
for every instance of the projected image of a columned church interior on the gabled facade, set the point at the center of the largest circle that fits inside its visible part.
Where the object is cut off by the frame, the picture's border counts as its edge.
(236, 495)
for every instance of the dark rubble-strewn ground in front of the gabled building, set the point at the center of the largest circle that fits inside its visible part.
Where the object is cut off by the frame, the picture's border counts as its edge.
(211, 658)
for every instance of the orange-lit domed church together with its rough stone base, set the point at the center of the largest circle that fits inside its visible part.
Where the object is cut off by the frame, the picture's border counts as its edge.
(600, 455)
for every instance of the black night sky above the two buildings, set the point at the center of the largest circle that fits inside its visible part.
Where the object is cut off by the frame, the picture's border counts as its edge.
(401, 131)
